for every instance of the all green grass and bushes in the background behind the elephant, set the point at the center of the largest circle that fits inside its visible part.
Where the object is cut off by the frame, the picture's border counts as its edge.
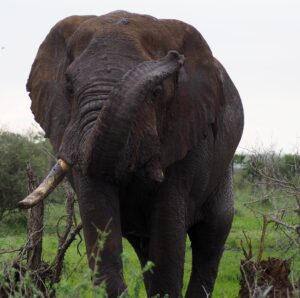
(266, 186)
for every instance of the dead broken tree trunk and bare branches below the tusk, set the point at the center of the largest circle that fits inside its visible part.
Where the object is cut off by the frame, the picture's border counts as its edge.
(39, 270)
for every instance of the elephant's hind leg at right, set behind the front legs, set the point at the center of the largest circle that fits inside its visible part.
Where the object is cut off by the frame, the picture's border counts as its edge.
(208, 238)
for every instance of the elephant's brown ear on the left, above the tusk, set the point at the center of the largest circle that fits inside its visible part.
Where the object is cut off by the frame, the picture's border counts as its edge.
(46, 83)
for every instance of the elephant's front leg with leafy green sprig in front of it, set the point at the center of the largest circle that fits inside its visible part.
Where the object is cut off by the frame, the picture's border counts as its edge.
(99, 209)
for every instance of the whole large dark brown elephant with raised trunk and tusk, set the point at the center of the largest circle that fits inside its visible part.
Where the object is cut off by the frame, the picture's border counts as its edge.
(144, 121)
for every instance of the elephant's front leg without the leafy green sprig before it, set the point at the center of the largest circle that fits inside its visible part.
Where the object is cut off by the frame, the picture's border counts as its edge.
(167, 243)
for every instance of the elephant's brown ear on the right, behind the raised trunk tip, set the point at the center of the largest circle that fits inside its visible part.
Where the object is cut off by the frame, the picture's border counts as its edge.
(192, 115)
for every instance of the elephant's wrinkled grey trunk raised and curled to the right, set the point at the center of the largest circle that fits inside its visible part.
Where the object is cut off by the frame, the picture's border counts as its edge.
(112, 128)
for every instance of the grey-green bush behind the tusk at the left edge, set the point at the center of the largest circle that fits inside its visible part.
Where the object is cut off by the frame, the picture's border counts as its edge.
(15, 152)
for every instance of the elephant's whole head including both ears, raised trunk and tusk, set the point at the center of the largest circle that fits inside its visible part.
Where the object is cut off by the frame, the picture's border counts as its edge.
(115, 97)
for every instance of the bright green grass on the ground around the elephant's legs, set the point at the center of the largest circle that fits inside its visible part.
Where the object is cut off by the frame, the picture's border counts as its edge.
(76, 279)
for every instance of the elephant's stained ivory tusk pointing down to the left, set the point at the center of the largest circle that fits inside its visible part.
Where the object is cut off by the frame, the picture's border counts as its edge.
(55, 176)
